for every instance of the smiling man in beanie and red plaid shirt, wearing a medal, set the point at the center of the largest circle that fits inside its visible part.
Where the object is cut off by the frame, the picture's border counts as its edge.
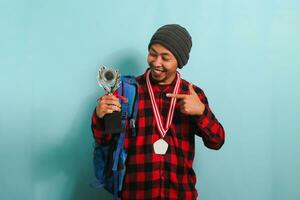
(171, 111)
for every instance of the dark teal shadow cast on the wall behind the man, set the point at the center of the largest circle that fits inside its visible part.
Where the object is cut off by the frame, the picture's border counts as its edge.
(72, 156)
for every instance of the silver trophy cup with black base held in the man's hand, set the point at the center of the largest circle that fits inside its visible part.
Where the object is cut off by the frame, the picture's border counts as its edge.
(109, 79)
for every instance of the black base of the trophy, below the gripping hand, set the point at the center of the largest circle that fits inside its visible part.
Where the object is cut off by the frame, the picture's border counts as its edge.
(113, 123)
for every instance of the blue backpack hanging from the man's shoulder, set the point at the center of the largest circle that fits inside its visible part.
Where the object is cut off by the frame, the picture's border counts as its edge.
(109, 160)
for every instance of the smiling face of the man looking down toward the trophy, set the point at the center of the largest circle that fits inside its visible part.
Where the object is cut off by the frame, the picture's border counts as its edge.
(162, 63)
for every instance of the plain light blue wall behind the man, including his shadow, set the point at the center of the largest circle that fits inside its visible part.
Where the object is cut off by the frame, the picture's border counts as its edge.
(245, 56)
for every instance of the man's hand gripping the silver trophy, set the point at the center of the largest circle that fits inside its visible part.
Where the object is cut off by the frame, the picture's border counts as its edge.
(107, 104)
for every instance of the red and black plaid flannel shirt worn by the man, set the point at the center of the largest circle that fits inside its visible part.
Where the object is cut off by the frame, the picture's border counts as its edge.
(170, 176)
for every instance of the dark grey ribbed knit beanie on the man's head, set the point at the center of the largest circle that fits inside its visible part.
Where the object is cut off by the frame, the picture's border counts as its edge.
(176, 39)
